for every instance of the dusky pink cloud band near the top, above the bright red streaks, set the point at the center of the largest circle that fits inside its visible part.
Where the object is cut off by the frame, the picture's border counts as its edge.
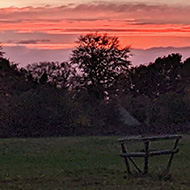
(141, 12)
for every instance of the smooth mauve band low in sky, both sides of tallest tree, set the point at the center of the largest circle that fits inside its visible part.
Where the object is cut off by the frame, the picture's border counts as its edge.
(25, 56)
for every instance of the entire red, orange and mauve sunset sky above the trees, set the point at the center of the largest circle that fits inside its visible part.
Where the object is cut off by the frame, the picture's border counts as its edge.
(46, 30)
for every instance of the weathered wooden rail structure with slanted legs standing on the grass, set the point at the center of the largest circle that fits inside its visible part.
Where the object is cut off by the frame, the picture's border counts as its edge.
(147, 152)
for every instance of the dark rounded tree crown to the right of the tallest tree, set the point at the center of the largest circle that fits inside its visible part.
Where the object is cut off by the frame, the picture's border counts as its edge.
(157, 78)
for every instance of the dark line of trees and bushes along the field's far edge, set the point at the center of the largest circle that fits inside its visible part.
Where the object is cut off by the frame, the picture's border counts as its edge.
(84, 95)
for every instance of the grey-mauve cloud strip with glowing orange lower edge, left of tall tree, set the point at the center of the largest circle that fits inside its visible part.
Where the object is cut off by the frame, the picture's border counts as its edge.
(42, 40)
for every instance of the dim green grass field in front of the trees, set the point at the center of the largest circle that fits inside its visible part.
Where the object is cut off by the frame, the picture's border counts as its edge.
(83, 163)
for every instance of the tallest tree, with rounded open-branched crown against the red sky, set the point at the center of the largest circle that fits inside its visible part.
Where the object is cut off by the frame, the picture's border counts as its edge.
(99, 62)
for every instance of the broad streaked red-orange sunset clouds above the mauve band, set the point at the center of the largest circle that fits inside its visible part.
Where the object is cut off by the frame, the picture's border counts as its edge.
(61, 25)
